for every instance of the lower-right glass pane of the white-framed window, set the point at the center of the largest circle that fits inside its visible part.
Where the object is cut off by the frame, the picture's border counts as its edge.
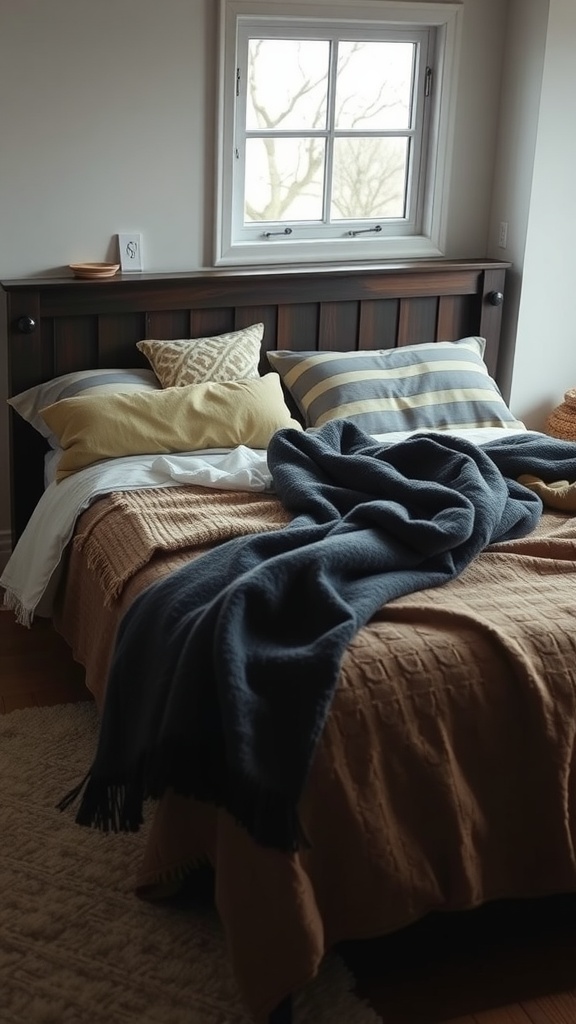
(369, 179)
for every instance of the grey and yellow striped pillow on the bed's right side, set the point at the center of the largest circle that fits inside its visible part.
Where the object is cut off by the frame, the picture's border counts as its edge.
(438, 387)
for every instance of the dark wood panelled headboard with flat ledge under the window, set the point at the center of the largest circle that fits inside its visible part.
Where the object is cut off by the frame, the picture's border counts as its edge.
(55, 326)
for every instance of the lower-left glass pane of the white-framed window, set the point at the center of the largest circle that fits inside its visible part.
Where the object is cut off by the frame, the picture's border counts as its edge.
(284, 180)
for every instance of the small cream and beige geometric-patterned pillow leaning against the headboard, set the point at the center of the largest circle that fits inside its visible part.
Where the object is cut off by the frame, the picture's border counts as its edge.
(231, 357)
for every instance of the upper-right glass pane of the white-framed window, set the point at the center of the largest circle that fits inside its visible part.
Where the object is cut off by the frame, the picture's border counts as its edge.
(375, 86)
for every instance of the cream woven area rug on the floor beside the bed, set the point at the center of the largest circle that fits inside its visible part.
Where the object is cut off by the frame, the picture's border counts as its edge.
(76, 946)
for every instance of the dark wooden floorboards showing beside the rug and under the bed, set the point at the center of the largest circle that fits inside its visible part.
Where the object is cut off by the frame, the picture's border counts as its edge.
(505, 964)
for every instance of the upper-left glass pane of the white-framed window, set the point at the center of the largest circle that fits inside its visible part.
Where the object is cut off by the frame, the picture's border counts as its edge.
(287, 84)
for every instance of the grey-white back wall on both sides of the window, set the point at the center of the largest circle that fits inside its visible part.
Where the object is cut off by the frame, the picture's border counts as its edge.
(107, 121)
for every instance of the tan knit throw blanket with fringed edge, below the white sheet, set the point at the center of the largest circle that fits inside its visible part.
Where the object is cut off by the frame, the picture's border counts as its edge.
(129, 528)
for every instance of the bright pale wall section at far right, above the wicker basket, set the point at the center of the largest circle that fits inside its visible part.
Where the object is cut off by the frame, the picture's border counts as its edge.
(546, 362)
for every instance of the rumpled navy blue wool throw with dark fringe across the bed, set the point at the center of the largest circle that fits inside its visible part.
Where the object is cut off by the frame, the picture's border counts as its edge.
(224, 672)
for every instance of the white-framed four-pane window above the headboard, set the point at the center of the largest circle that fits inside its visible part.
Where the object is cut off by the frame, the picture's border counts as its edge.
(336, 121)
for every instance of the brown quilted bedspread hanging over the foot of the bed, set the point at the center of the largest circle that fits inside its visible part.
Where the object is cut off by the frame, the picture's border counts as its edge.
(444, 779)
